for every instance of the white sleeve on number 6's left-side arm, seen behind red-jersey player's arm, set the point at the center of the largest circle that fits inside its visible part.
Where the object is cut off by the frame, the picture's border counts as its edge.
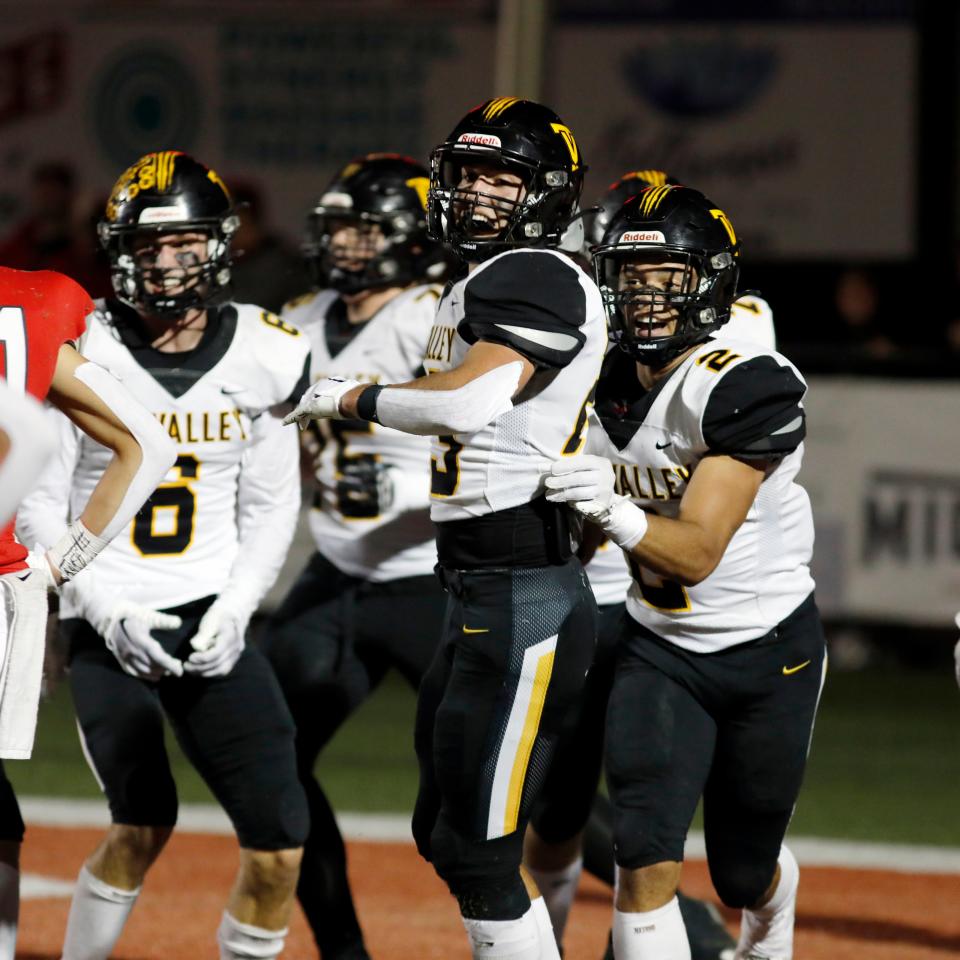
(45, 511)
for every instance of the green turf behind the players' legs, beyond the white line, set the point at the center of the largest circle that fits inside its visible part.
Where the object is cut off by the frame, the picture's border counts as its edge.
(885, 763)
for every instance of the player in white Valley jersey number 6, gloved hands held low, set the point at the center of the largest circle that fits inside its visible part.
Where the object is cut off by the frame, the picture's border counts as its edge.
(160, 629)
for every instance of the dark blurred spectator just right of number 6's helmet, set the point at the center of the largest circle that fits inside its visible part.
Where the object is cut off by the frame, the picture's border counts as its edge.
(265, 270)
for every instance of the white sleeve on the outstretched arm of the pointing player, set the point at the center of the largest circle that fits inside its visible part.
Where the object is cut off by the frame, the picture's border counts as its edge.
(467, 409)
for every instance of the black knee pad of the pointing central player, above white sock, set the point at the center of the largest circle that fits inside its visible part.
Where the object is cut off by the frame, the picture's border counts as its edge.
(484, 875)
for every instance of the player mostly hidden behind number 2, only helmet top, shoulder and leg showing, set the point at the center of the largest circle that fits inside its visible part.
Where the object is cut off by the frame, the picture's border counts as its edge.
(571, 826)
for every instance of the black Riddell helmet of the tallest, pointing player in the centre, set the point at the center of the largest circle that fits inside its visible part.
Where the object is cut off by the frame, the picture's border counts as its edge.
(523, 138)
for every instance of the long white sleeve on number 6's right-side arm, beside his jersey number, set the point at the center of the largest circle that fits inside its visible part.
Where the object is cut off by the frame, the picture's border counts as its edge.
(268, 504)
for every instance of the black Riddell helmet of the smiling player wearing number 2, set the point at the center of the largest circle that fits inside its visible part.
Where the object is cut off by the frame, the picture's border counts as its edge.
(667, 225)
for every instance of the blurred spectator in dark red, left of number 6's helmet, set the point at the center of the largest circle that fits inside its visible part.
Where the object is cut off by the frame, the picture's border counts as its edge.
(51, 237)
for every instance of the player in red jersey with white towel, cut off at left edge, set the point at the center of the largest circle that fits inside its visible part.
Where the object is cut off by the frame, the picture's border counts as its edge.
(43, 314)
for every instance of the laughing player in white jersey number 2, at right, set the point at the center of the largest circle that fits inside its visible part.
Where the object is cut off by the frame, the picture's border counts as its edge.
(721, 656)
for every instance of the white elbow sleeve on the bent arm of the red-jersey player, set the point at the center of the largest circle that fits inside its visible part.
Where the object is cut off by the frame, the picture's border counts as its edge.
(158, 452)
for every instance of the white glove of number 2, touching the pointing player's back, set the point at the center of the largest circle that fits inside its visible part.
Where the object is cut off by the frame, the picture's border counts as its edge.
(586, 483)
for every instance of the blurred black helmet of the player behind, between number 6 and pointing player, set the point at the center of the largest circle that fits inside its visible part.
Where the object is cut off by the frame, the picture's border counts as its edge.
(384, 190)
